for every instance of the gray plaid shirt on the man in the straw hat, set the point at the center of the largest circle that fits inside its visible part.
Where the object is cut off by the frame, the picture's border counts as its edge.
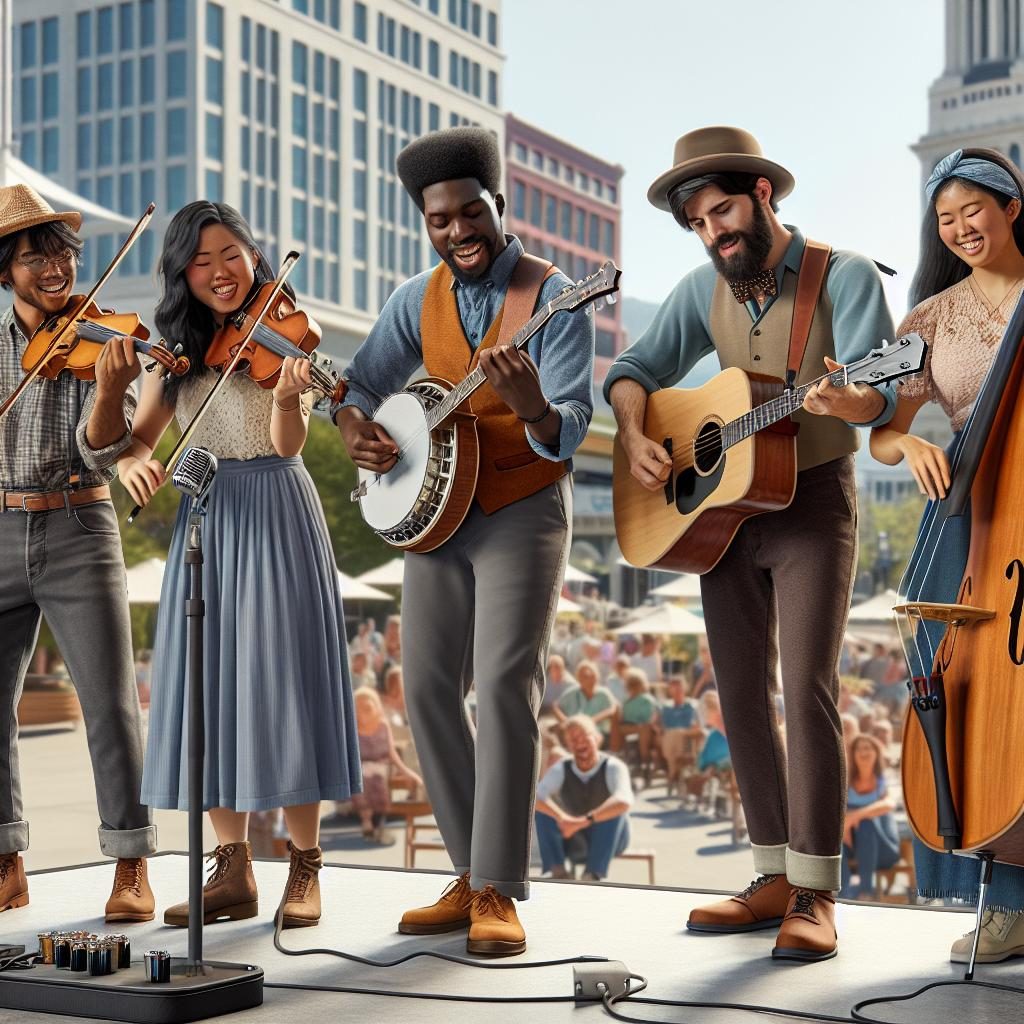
(42, 437)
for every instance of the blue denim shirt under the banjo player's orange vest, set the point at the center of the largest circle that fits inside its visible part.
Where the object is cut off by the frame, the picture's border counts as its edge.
(564, 350)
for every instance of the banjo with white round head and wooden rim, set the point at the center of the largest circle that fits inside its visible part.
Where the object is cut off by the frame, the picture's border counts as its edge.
(423, 499)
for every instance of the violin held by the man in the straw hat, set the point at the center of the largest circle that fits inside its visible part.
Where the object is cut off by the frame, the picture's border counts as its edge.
(82, 344)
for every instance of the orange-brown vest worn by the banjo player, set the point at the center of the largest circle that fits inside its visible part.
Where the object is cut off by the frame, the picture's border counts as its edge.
(510, 470)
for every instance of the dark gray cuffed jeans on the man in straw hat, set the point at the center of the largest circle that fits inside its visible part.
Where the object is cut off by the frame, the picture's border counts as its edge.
(71, 569)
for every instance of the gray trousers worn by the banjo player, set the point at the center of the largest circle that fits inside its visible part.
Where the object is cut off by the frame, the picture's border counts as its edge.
(479, 611)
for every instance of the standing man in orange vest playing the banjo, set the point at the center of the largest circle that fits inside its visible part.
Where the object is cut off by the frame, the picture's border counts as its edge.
(481, 607)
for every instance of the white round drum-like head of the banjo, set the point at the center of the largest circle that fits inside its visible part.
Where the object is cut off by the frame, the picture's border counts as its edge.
(392, 496)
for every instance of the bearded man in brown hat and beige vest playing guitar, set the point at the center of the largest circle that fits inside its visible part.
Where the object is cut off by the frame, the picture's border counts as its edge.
(800, 560)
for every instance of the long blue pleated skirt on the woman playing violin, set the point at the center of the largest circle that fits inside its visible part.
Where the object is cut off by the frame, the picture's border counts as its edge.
(280, 722)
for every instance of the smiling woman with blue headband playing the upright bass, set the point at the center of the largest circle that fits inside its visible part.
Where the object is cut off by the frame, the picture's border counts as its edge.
(970, 279)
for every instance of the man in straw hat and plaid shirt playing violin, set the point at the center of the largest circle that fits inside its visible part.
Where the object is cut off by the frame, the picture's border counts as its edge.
(61, 550)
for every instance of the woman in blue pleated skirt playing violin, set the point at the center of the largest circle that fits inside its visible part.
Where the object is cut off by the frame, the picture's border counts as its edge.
(281, 729)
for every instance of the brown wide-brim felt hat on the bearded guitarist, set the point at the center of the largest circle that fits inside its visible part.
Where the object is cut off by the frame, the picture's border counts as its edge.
(717, 150)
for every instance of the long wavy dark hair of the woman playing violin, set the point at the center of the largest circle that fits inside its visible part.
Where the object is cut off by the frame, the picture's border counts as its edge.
(181, 318)
